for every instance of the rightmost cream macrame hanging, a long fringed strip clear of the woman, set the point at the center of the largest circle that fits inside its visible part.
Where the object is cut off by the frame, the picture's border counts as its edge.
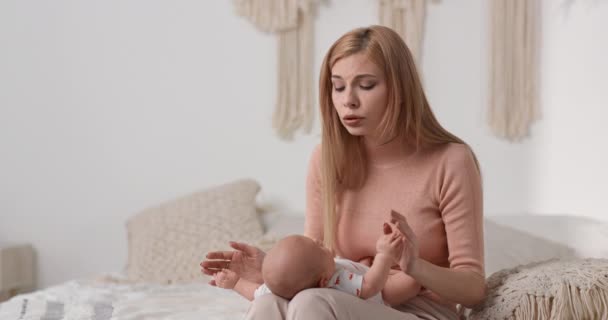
(514, 67)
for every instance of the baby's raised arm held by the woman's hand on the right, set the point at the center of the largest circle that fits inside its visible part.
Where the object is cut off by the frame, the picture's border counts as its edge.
(388, 247)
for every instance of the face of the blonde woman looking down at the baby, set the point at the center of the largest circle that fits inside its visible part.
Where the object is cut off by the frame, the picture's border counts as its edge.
(359, 94)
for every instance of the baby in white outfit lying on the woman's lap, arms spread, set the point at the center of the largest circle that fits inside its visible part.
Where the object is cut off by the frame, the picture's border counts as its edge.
(297, 262)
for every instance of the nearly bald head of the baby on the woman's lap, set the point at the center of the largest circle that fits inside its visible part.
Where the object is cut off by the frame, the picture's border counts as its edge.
(296, 263)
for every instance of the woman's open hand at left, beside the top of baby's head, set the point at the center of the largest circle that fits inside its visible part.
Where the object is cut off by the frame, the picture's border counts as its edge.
(245, 261)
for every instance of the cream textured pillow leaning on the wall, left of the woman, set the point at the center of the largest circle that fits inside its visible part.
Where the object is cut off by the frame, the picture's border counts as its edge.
(167, 242)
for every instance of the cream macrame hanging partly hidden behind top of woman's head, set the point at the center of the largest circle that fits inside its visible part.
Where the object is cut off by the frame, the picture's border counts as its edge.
(407, 18)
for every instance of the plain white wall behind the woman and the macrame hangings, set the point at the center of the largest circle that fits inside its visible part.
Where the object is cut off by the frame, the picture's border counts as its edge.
(110, 107)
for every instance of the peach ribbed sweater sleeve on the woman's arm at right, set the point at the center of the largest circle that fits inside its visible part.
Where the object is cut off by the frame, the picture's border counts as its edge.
(461, 207)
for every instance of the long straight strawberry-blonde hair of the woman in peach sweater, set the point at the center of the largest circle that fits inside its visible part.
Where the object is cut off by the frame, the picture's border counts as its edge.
(408, 115)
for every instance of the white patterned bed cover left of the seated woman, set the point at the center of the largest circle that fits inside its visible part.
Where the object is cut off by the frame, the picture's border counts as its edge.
(105, 298)
